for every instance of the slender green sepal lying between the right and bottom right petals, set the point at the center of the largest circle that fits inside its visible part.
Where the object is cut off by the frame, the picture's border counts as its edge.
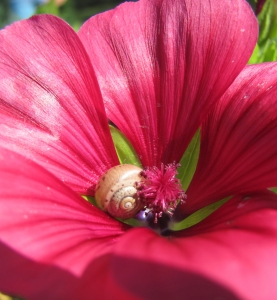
(198, 216)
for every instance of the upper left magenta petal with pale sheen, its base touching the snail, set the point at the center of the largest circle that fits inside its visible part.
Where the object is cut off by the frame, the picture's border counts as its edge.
(51, 108)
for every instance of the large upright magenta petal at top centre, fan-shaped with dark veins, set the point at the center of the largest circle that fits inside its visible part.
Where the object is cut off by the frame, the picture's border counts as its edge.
(161, 65)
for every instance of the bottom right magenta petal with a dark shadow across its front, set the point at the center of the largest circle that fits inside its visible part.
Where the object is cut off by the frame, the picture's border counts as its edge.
(237, 260)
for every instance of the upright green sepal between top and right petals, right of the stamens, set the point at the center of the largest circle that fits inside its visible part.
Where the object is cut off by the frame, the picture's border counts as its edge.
(189, 161)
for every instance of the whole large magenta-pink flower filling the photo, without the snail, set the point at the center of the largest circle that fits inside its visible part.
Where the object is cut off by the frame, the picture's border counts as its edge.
(163, 68)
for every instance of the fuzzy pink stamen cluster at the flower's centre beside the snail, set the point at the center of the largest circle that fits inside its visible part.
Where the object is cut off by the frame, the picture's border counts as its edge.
(161, 191)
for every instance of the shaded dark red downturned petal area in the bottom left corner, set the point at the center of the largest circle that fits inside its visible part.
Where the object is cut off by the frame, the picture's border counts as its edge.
(42, 281)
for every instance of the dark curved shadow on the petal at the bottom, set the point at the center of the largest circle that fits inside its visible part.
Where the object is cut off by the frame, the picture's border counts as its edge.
(166, 282)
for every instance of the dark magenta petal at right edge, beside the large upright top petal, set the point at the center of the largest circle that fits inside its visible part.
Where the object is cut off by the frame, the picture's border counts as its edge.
(239, 140)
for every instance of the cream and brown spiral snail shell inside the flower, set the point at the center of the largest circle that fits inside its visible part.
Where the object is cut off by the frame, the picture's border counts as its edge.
(116, 191)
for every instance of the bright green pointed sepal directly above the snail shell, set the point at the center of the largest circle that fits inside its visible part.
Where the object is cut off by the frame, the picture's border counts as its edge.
(125, 151)
